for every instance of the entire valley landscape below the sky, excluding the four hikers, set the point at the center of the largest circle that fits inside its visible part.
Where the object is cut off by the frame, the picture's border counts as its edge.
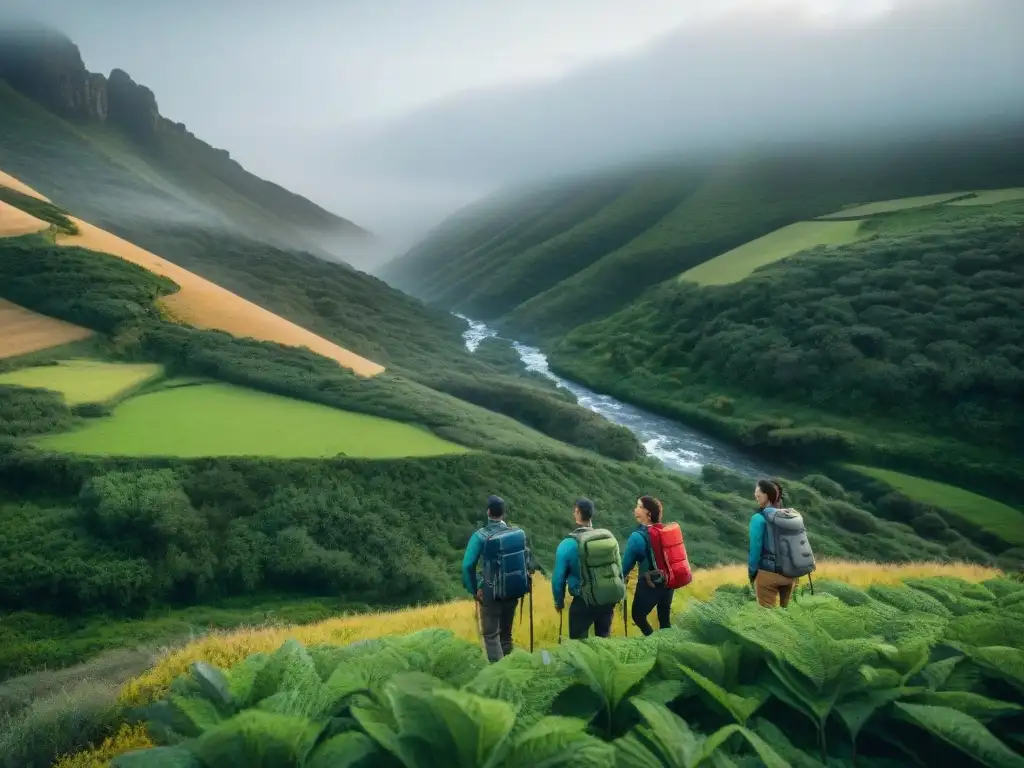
(239, 474)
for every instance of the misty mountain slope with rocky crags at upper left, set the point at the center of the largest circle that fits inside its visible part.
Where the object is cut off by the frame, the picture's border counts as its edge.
(99, 145)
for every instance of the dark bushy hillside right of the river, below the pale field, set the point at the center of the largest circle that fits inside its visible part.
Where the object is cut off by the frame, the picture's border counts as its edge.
(902, 350)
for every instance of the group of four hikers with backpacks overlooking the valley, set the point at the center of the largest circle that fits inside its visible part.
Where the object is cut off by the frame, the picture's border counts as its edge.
(590, 568)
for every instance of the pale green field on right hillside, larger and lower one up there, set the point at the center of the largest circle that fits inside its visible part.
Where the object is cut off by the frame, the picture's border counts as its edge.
(734, 266)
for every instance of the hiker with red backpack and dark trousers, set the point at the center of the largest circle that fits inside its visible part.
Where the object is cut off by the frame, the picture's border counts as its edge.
(660, 557)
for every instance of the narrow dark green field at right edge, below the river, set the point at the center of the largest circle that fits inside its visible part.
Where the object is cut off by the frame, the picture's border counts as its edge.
(998, 519)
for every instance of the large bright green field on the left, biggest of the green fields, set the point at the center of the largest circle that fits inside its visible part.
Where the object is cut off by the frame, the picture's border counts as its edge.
(225, 420)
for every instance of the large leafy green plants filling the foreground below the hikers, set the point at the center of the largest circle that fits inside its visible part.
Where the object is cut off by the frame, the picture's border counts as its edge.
(872, 678)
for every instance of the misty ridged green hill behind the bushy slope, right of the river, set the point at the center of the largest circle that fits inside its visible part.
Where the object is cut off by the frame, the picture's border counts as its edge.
(551, 260)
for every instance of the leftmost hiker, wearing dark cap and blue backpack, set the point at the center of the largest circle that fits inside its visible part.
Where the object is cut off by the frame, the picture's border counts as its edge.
(508, 569)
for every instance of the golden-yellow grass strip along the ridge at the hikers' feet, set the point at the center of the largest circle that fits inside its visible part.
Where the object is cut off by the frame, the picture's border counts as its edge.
(227, 649)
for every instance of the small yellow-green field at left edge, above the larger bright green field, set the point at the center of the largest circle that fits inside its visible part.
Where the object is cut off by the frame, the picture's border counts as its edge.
(84, 380)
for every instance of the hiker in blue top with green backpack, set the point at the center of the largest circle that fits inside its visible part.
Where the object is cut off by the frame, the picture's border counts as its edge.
(587, 563)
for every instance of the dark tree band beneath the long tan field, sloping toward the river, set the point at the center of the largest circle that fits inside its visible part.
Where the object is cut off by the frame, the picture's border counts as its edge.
(118, 298)
